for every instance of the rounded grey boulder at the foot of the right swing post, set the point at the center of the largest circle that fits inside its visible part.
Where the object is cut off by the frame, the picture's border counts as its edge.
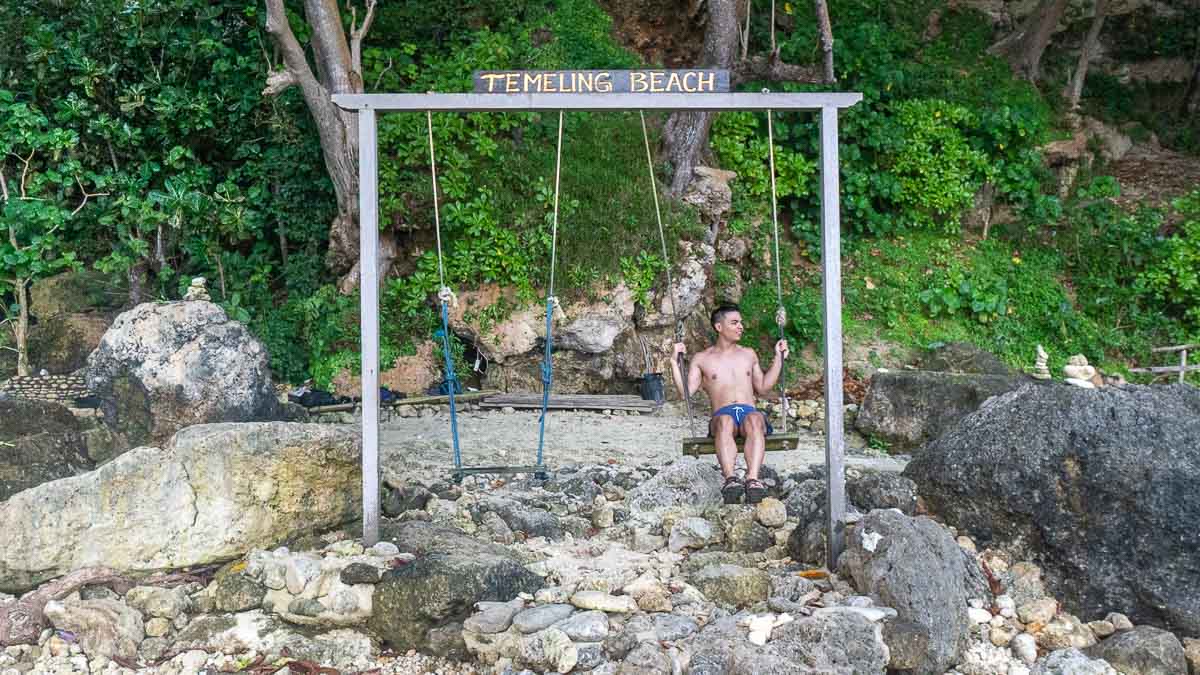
(915, 566)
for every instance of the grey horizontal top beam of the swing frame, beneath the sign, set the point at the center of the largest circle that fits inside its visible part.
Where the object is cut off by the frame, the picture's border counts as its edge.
(519, 103)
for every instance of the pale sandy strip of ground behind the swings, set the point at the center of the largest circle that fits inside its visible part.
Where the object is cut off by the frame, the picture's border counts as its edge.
(493, 439)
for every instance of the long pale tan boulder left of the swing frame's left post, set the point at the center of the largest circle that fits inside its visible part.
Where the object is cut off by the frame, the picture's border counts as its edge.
(211, 495)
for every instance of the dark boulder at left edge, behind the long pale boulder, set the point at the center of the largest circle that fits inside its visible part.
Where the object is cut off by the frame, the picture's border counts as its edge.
(39, 443)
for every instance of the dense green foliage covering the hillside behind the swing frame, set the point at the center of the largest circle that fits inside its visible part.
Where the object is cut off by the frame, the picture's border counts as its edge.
(160, 107)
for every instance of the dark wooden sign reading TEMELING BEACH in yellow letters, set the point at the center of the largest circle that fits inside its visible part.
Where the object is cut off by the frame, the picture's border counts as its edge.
(604, 82)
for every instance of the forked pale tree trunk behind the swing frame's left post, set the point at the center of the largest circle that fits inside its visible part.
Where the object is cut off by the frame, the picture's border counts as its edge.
(339, 65)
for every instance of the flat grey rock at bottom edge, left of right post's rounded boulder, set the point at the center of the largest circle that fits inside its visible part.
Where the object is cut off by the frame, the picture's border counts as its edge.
(842, 643)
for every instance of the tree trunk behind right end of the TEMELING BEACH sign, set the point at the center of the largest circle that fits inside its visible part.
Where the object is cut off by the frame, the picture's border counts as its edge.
(687, 132)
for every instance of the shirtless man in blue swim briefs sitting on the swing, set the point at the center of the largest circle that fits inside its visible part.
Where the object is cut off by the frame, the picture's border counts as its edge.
(733, 378)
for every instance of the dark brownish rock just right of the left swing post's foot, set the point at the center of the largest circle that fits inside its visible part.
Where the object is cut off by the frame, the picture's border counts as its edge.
(451, 575)
